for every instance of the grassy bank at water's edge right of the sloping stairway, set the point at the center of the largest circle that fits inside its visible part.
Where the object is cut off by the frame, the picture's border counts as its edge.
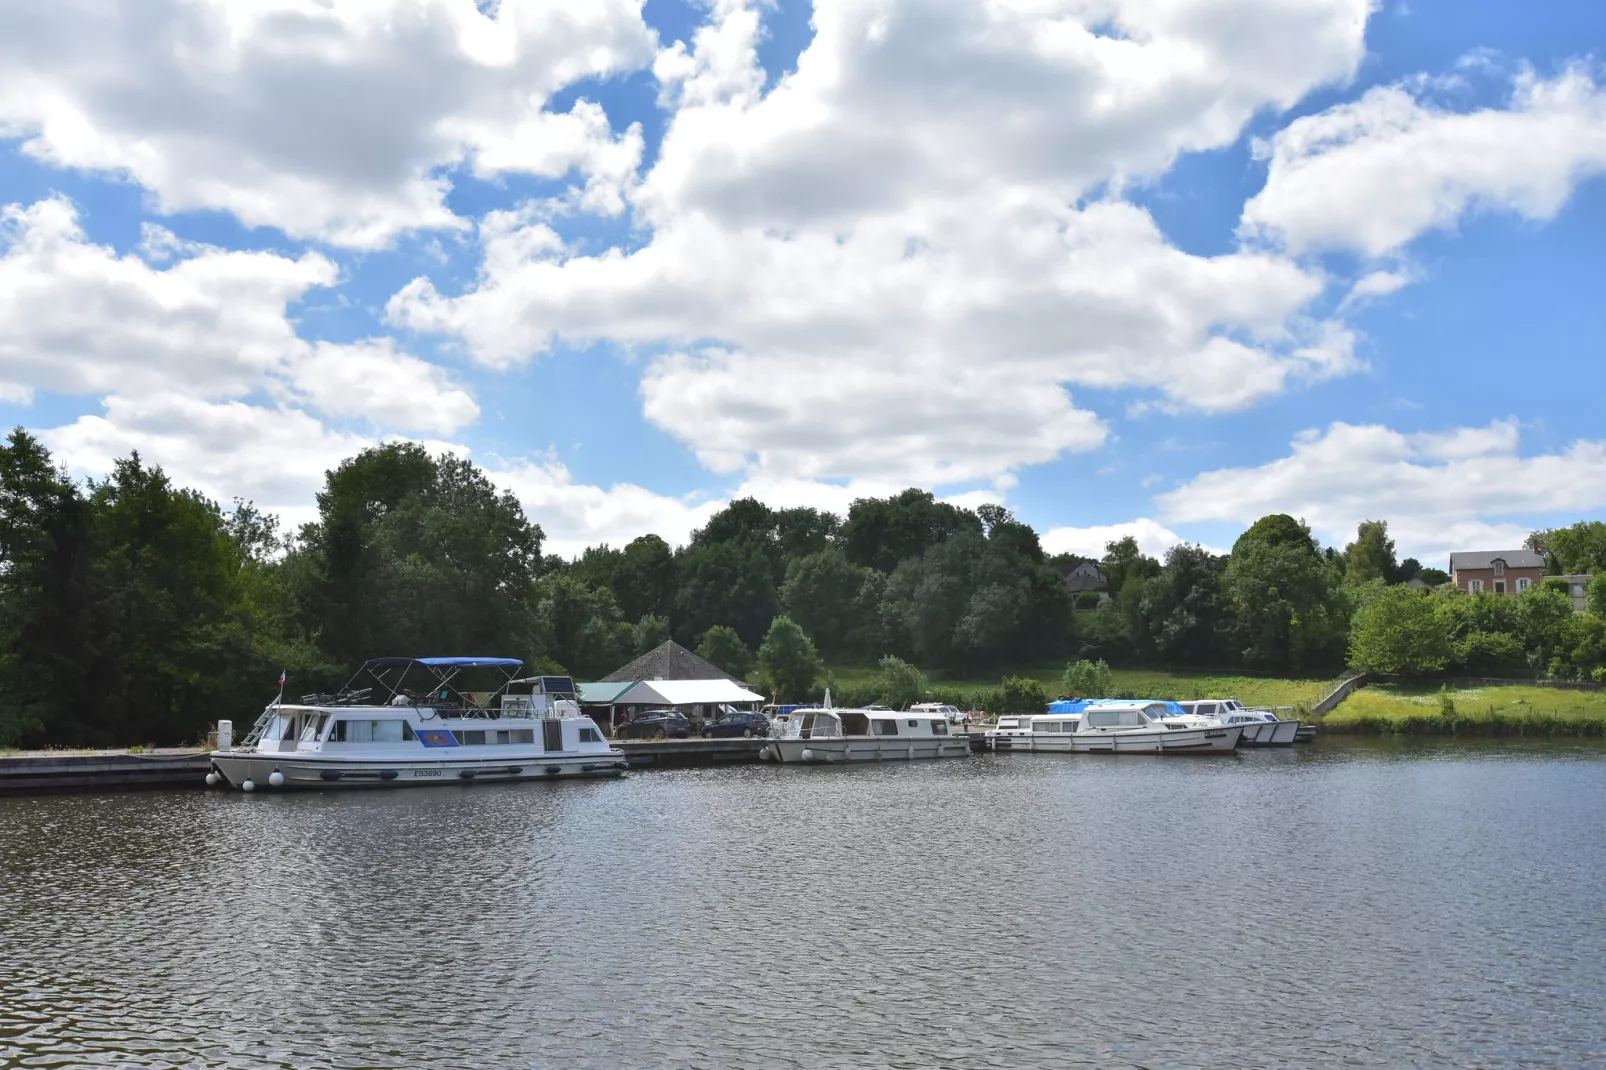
(1475, 711)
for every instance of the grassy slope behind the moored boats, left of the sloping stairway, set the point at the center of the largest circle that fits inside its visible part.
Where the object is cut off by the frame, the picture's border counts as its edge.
(1141, 682)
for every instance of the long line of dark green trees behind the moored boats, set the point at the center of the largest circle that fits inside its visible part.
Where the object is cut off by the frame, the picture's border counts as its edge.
(137, 611)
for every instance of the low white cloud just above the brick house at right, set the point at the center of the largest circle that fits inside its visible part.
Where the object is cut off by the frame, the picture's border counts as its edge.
(1440, 492)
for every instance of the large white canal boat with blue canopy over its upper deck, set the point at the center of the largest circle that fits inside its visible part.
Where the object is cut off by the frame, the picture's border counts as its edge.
(407, 722)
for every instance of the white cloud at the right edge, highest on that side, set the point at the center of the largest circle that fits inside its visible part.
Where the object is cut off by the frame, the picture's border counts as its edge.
(1377, 173)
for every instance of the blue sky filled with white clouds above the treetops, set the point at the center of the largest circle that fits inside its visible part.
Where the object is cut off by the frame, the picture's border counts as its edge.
(1151, 267)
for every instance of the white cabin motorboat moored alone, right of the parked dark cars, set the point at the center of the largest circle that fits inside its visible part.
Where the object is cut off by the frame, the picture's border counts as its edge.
(826, 735)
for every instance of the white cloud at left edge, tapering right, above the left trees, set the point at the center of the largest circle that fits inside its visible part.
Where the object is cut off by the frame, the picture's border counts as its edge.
(210, 324)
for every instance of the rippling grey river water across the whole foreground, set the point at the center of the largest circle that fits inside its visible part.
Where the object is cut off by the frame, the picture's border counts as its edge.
(1371, 904)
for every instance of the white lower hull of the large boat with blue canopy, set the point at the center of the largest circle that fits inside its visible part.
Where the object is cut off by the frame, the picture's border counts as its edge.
(314, 772)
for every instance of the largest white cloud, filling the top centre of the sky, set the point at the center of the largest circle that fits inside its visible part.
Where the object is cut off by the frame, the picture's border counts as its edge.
(882, 269)
